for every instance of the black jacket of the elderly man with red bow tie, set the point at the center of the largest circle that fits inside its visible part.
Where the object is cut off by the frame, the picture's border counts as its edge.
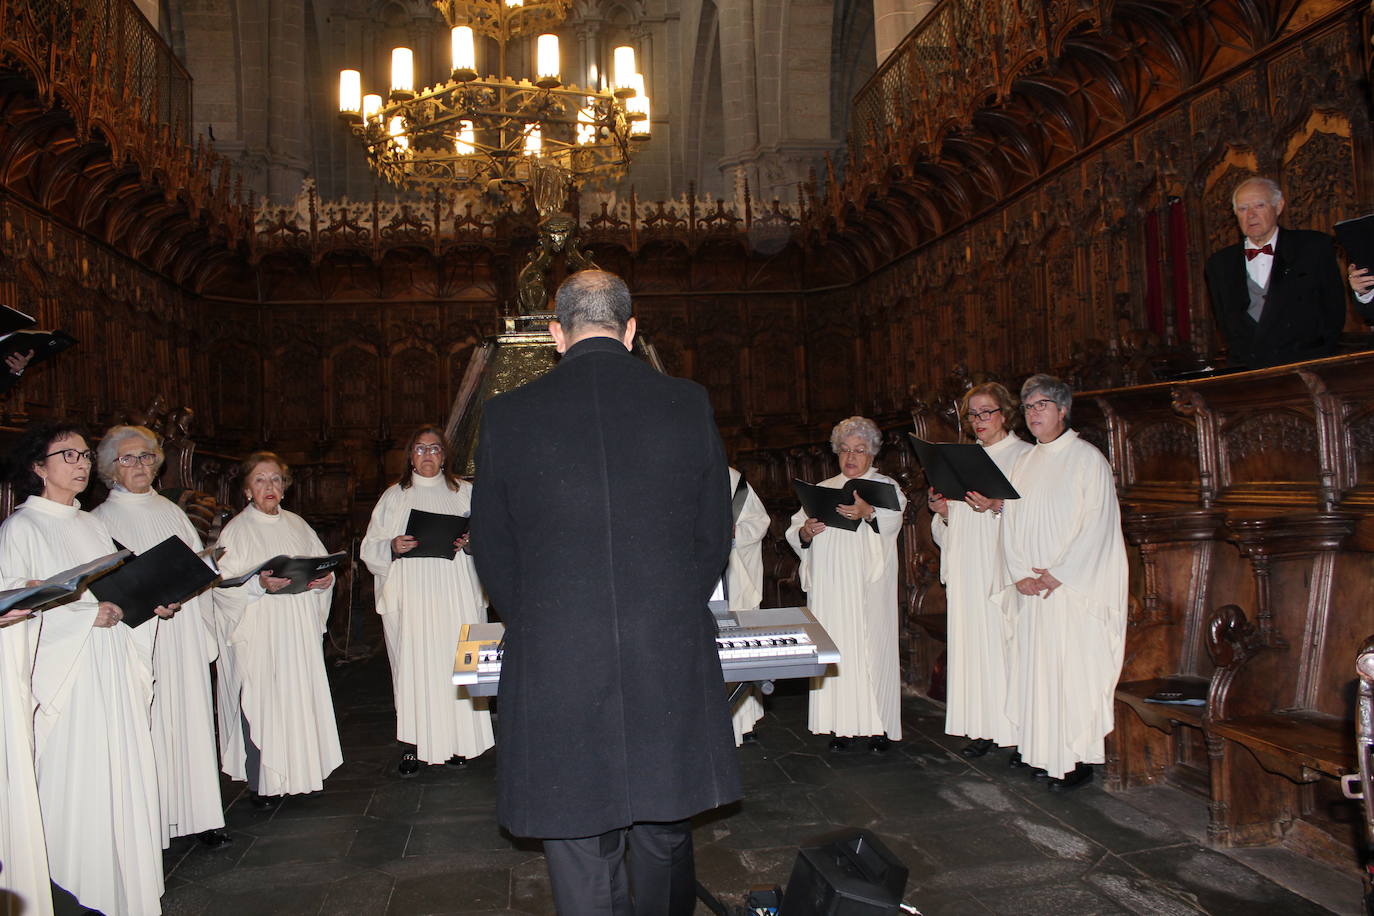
(1306, 308)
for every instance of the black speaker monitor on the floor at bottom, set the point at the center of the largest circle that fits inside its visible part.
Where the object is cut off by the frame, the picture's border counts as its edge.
(846, 874)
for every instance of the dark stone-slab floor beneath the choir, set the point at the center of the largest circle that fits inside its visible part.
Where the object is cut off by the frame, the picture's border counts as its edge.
(978, 838)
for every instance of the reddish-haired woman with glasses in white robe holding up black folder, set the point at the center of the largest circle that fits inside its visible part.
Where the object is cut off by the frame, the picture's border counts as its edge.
(967, 527)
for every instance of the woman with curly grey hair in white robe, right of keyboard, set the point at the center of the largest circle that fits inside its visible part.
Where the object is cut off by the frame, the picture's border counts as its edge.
(851, 584)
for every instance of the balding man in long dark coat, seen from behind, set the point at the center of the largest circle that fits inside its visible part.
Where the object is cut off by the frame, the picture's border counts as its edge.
(601, 524)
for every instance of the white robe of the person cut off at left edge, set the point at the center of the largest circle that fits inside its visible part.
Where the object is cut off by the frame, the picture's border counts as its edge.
(24, 882)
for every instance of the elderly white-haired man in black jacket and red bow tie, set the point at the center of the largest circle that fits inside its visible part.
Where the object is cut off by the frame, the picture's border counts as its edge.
(1277, 296)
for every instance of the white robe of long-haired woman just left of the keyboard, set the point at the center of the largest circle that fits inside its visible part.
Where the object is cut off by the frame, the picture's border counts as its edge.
(424, 604)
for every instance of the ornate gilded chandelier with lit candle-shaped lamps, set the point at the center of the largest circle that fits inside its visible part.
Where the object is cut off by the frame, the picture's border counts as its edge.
(490, 133)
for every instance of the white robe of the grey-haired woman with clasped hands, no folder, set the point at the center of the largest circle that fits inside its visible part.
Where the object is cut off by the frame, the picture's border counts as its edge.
(1066, 649)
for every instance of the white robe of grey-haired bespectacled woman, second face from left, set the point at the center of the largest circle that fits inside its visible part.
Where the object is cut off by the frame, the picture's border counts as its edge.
(183, 715)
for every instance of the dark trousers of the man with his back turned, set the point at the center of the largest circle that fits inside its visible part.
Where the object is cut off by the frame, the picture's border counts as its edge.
(642, 870)
